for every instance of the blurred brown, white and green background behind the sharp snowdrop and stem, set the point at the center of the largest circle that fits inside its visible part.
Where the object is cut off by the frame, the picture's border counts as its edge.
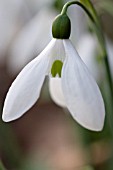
(47, 137)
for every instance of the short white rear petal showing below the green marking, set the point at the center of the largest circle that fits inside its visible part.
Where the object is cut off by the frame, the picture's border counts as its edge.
(56, 91)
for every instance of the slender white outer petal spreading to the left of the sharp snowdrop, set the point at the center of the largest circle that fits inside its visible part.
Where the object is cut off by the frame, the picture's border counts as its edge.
(25, 90)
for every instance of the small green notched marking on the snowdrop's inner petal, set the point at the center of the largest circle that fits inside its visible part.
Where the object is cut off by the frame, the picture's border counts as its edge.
(56, 68)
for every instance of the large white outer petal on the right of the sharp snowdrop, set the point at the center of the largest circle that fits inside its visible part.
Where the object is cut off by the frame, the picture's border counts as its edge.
(81, 92)
